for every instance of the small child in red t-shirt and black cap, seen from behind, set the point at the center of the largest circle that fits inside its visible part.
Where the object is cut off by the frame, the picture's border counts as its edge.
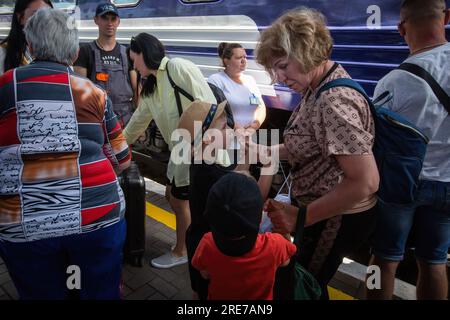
(239, 262)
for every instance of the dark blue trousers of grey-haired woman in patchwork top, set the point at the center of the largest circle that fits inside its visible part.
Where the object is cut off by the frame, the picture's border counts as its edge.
(39, 269)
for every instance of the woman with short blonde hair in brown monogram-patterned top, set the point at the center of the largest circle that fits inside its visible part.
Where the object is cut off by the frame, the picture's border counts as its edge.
(328, 142)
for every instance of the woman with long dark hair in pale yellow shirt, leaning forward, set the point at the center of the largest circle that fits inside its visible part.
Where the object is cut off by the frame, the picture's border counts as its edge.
(158, 102)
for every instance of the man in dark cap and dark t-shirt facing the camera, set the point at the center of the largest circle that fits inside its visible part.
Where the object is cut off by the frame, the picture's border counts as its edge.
(104, 61)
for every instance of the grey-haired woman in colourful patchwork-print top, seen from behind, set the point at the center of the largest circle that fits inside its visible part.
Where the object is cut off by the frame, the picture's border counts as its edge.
(61, 207)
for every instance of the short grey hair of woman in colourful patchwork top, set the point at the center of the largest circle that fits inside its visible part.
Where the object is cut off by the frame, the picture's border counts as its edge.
(52, 36)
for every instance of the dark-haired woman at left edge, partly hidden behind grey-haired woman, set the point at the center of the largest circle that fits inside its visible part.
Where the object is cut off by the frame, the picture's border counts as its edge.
(13, 50)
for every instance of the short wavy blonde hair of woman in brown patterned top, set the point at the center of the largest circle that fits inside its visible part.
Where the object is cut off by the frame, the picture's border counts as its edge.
(300, 34)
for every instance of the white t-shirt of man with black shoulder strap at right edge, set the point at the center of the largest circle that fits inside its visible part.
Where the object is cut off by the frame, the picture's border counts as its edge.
(413, 98)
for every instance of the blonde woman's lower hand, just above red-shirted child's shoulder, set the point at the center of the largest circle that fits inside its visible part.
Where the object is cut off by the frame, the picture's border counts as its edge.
(282, 215)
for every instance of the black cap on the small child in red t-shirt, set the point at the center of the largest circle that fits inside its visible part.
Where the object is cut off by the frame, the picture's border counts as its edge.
(234, 210)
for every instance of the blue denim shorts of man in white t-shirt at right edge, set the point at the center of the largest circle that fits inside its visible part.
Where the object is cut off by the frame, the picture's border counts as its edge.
(430, 214)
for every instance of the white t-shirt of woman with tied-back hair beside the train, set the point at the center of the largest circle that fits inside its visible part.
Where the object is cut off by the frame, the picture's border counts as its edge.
(243, 98)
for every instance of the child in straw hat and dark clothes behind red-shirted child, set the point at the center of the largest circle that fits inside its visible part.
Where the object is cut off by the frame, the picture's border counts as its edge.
(208, 144)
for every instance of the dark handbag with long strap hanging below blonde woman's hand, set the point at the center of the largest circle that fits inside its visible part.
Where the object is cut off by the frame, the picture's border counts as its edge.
(294, 282)
